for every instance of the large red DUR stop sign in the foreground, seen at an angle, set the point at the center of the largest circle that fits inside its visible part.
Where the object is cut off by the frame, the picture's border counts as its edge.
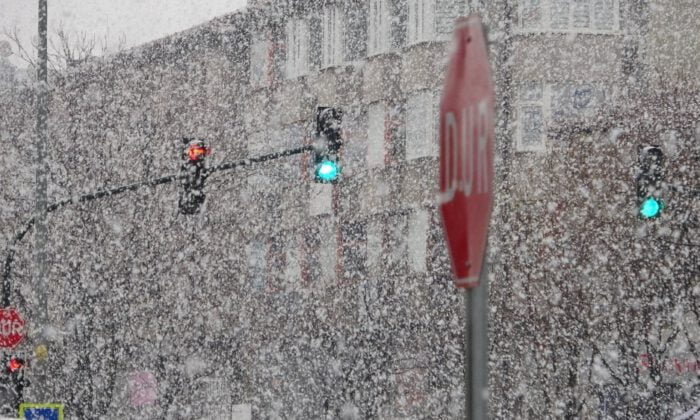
(466, 152)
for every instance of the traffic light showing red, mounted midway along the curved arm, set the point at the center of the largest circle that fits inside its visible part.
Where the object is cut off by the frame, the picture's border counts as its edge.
(192, 193)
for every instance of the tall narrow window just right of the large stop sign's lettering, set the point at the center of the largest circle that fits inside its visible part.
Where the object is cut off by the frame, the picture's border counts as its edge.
(531, 128)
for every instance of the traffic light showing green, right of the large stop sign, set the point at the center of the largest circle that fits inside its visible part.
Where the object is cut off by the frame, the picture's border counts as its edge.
(650, 176)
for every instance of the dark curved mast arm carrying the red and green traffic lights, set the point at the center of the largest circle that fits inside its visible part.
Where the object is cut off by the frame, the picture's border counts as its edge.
(10, 254)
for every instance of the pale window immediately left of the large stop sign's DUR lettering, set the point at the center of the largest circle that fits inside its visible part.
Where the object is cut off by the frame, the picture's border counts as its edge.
(421, 125)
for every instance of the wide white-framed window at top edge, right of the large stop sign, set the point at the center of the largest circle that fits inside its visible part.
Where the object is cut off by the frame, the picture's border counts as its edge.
(591, 16)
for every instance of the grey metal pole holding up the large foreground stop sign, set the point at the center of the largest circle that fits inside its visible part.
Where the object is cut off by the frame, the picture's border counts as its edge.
(476, 348)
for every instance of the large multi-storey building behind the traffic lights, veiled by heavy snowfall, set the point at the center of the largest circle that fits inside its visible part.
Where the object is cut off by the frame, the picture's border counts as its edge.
(310, 300)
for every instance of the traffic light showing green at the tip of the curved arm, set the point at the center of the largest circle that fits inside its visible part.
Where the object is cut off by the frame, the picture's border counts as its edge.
(327, 146)
